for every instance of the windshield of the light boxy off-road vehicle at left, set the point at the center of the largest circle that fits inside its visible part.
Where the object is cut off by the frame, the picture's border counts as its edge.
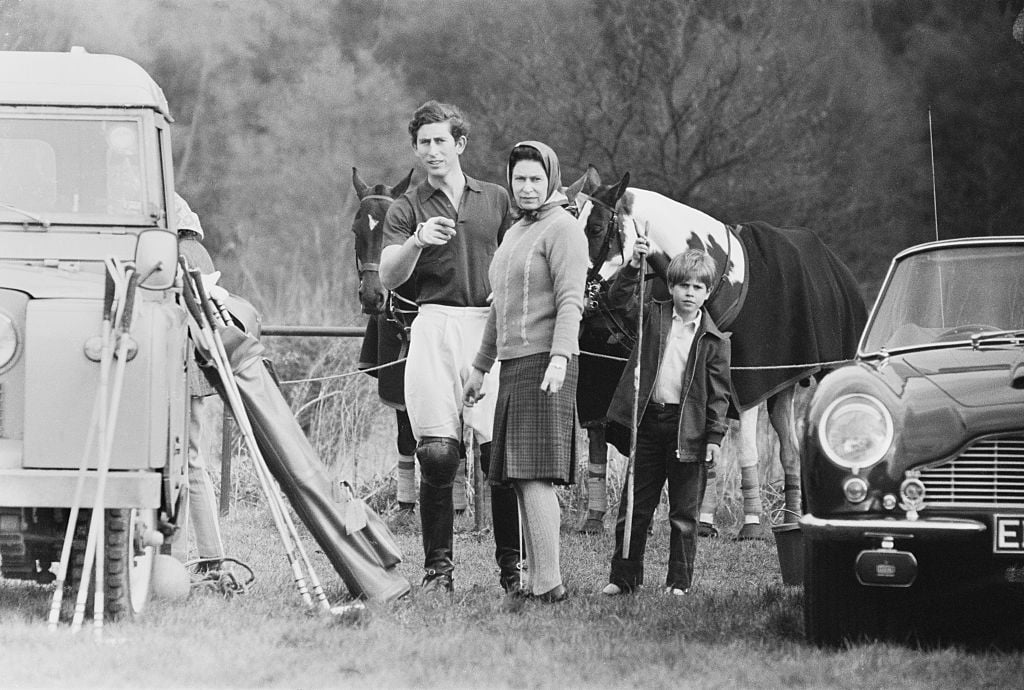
(77, 170)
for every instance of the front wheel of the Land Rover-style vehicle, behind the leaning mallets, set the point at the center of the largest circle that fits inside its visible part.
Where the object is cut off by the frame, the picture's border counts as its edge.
(129, 563)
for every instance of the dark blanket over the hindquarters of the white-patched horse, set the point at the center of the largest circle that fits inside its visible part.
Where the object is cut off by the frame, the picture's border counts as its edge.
(803, 308)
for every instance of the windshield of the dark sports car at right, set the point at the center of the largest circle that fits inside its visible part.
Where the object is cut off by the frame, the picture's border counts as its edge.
(950, 295)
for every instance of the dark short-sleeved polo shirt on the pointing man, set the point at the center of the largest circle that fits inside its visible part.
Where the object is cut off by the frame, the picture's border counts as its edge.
(456, 274)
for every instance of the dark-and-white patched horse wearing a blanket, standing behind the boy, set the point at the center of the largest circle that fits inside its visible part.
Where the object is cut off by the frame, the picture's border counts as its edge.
(794, 309)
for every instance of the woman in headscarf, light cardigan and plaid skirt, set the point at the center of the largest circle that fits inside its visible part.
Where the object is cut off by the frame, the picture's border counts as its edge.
(538, 277)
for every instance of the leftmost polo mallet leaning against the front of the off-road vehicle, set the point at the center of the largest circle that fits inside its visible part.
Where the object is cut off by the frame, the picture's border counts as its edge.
(112, 286)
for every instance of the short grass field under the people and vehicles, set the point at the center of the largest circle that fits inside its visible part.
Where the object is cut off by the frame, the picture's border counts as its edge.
(741, 628)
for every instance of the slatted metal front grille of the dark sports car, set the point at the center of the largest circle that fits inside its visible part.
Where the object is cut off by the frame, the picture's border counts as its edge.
(990, 473)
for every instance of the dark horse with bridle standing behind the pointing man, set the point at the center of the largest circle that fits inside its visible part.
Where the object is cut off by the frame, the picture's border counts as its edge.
(391, 315)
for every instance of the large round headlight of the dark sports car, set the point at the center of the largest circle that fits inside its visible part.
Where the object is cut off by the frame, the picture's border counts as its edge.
(856, 432)
